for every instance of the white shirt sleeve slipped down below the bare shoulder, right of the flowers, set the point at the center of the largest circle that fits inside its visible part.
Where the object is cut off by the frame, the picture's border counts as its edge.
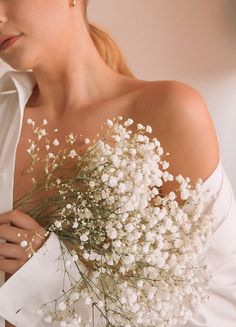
(220, 308)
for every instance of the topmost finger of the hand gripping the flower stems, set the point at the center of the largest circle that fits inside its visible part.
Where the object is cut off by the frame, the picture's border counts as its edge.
(18, 219)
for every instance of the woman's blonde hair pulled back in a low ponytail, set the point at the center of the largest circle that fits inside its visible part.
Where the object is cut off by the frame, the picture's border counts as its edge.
(105, 45)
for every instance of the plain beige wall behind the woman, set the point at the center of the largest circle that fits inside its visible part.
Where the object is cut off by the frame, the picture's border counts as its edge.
(193, 41)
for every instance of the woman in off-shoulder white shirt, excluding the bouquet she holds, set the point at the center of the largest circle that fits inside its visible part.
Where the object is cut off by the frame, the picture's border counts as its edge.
(78, 80)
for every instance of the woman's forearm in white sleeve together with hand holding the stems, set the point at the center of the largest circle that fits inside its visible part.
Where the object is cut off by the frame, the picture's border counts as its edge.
(35, 281)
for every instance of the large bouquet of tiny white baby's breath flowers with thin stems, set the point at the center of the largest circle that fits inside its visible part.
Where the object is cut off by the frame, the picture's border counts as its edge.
(141, 249)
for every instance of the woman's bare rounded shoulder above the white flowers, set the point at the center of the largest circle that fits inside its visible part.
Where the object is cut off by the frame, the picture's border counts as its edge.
(181, 120)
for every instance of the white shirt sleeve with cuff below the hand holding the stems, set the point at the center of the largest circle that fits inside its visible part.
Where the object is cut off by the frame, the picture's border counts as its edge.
(40, 280)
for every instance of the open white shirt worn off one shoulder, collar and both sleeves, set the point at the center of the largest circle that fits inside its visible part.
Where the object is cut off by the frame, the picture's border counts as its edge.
(38, 281)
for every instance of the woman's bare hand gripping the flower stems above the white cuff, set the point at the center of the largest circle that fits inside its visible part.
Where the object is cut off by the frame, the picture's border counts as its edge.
(23, 227)
